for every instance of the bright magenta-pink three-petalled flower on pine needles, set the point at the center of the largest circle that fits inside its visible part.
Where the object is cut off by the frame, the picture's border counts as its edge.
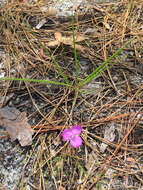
(73, 136)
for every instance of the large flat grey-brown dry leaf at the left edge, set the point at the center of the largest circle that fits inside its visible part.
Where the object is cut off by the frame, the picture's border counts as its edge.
(15, 122)
